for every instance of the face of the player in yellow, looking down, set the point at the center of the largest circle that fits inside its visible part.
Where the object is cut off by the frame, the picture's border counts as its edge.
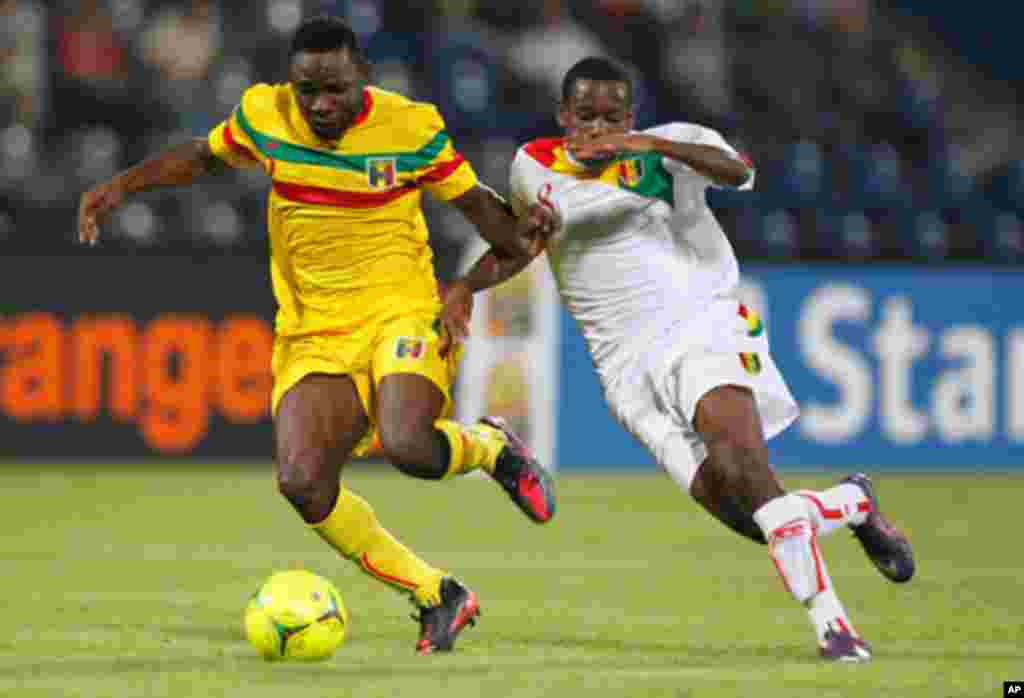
(329, 89)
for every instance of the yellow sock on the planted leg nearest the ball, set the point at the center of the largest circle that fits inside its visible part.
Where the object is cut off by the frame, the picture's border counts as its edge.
(353, 530)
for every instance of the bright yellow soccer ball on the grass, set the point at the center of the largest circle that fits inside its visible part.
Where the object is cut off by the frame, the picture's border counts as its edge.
(296, 616)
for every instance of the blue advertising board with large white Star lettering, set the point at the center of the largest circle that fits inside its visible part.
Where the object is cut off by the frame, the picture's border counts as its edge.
(893, 368)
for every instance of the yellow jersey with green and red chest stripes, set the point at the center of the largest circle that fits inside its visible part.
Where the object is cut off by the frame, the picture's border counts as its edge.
(349, 240)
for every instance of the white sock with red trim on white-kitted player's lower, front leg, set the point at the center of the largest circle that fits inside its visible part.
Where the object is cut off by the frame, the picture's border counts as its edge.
(794, 548)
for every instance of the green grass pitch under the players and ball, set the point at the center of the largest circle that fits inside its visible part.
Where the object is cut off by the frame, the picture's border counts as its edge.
(131, 582)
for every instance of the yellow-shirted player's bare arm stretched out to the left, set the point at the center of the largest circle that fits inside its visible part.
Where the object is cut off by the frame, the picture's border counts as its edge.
(176, 166)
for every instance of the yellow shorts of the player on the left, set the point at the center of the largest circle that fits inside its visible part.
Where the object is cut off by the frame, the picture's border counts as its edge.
(404, 345)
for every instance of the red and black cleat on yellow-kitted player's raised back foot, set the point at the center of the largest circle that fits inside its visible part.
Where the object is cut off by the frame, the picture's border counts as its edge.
(523, 476)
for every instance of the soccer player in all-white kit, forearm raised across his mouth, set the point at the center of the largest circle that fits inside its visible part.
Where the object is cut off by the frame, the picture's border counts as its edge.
(651, 279)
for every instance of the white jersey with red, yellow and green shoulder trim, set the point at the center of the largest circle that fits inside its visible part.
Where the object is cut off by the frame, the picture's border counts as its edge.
(639, 258)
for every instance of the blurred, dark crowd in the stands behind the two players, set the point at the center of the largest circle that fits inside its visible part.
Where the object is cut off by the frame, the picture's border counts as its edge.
(875, 138)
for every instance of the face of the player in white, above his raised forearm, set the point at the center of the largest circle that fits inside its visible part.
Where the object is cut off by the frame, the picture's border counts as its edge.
(596, 108)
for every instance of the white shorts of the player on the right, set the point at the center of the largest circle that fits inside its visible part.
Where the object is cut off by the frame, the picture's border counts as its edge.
(657, 406)
